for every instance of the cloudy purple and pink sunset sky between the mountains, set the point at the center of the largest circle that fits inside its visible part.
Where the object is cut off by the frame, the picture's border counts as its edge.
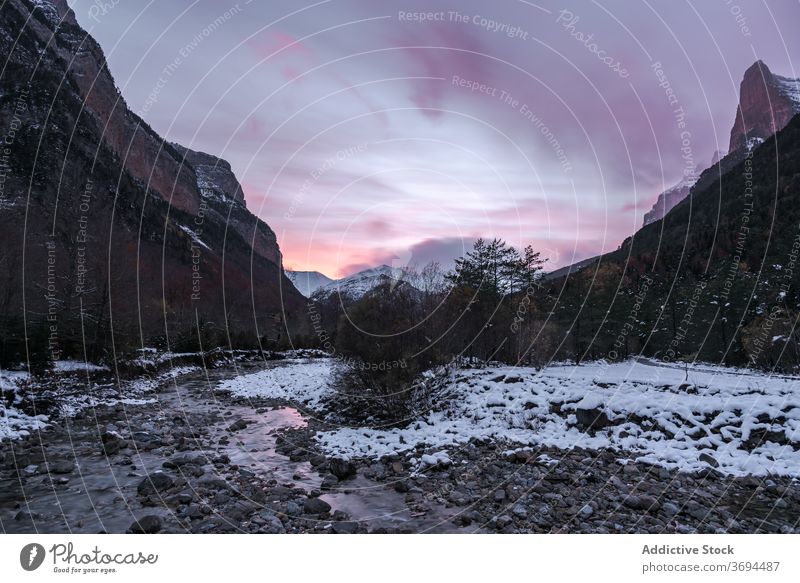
(364, 132)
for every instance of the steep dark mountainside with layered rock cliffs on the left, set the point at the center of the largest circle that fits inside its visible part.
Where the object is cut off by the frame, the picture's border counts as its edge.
(113, 237)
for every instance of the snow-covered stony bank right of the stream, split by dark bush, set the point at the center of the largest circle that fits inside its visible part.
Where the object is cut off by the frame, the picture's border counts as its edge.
(748, 422)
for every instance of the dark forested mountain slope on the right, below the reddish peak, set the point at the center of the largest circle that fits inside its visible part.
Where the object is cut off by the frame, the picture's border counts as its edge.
(716, 279)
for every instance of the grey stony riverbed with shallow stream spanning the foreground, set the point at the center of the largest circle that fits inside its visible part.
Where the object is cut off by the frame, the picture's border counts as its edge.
(196, 459)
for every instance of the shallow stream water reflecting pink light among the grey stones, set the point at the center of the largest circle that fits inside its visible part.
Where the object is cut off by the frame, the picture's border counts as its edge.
(100, 494)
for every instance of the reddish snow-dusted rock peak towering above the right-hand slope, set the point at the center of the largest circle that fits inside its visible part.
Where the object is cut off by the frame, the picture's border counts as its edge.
(766, 104)
